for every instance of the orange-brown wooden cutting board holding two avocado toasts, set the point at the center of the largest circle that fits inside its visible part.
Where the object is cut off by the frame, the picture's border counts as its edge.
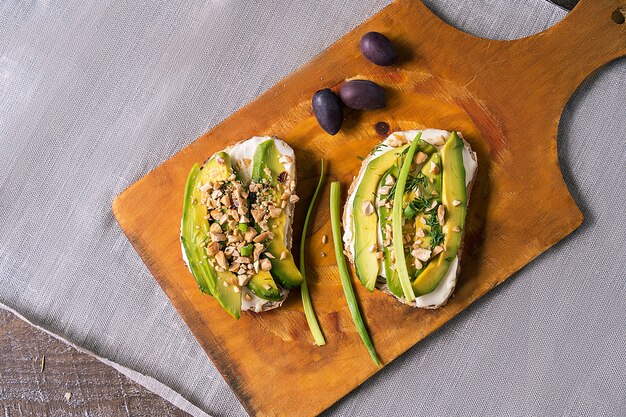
(505, 96)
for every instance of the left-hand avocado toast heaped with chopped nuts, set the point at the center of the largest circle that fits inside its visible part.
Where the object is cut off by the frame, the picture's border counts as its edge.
(236, 226)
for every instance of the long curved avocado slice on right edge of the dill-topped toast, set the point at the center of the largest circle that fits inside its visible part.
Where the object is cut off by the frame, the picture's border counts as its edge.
(453, 188)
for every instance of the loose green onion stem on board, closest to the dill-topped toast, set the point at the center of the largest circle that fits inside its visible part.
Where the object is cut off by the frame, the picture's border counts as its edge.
(335, 194)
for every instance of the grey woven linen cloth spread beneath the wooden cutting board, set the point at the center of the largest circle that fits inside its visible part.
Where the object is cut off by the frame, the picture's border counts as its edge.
(94, 94)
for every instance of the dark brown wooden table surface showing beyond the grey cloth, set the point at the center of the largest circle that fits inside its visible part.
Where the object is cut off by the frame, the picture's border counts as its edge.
(71, 383)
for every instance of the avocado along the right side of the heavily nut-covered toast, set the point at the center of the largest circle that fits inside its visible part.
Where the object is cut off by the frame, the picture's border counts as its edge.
(284, 270)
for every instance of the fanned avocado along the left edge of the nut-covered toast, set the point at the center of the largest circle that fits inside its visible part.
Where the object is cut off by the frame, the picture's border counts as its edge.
(194, 231)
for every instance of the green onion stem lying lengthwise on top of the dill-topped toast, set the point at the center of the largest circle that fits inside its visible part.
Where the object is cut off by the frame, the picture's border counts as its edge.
(398, 242)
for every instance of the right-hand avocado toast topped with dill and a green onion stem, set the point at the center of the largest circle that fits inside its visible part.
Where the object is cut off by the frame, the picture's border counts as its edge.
(404, 219)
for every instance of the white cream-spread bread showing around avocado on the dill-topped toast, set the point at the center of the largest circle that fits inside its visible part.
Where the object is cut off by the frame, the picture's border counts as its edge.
(442, 293)
